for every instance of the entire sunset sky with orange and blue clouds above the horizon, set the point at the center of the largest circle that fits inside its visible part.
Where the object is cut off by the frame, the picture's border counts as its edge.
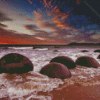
(49, 22)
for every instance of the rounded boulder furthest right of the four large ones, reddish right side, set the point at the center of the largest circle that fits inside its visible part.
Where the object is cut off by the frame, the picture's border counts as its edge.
(87, 61)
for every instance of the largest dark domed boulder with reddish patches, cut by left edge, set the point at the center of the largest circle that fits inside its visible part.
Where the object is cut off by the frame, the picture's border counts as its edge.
(15, 63)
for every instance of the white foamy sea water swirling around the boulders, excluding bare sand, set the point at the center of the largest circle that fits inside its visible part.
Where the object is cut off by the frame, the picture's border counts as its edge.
(16, 86)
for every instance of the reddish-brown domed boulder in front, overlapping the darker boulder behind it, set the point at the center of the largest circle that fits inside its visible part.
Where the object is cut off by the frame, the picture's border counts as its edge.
(56, 70)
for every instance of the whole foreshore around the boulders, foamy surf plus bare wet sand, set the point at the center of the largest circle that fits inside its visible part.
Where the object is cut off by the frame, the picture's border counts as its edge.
(83, 85)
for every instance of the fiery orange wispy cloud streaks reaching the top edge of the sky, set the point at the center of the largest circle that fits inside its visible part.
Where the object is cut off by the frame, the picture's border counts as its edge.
(57, 16)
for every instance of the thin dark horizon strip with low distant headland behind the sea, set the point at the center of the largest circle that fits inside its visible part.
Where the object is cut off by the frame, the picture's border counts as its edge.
(73, 44)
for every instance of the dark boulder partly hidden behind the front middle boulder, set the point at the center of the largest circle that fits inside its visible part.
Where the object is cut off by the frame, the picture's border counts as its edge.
(68, 62)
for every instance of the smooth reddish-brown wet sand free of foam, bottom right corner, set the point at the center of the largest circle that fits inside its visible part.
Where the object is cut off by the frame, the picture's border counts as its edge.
(75, 92)
